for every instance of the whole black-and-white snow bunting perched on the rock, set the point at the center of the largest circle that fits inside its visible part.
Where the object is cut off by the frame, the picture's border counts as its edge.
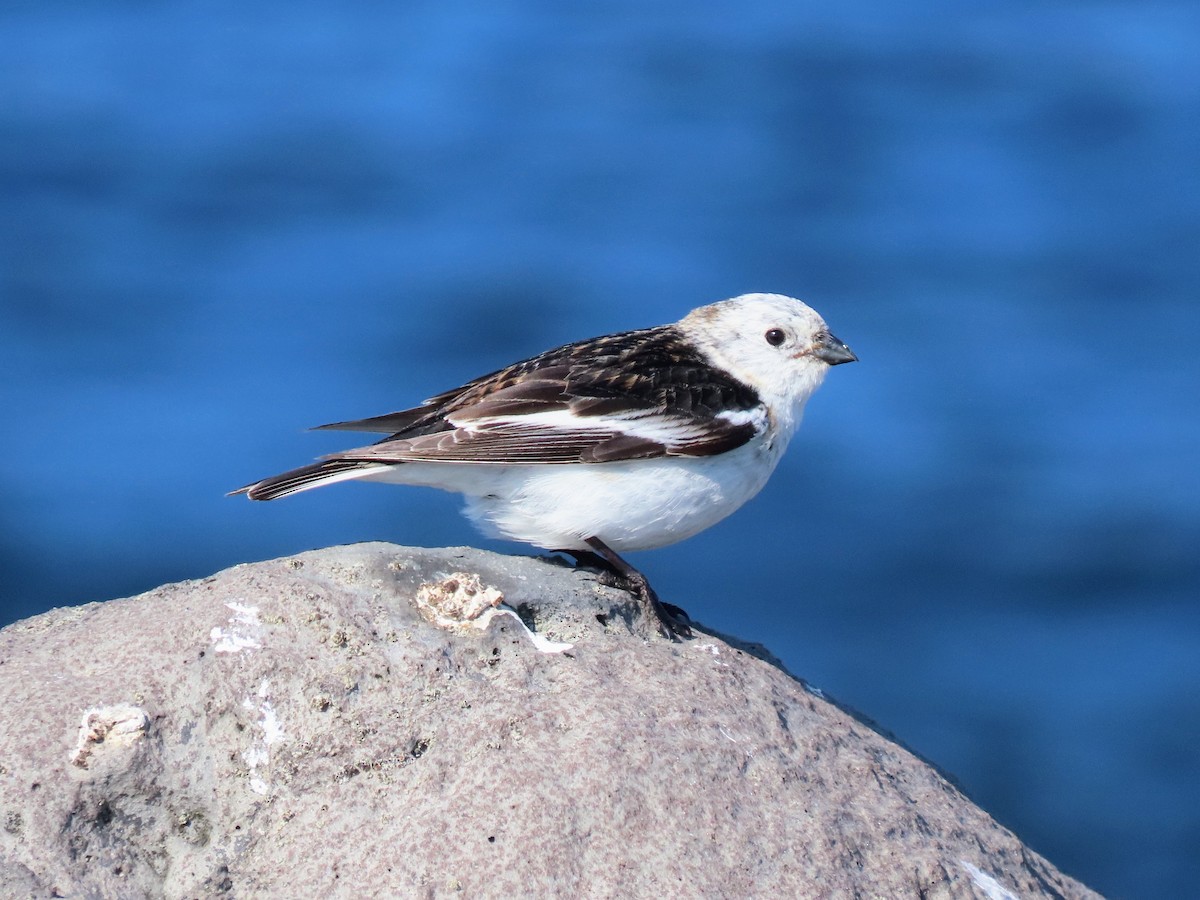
(619, 443)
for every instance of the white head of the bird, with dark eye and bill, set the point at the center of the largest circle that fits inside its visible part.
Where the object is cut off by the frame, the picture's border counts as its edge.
(775, 344)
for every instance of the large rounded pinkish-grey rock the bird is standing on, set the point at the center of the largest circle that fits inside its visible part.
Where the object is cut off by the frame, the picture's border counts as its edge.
(303, 728)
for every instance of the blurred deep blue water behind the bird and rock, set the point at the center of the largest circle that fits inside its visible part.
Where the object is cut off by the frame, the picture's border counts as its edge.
(223, 225)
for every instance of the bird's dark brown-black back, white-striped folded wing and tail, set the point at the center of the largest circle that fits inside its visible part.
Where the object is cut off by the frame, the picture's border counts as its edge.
(629, 397)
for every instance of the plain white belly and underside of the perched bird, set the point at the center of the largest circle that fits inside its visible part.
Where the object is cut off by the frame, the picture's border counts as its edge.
(640, 505)
